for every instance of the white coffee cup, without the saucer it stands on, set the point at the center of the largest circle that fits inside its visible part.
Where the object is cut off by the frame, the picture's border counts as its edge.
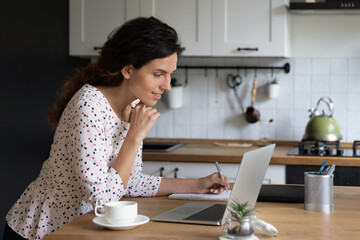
(118, 212)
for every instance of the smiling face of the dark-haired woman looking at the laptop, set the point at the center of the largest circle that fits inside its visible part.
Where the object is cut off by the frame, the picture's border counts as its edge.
(150, 81)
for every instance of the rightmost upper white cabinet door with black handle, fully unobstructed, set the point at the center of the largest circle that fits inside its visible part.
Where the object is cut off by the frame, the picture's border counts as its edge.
(249, 28)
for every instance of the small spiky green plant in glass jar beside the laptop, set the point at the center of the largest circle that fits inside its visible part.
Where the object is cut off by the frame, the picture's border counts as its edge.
(240, 224)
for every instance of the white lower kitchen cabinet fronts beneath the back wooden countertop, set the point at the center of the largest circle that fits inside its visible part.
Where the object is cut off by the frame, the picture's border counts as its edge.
(274, 175)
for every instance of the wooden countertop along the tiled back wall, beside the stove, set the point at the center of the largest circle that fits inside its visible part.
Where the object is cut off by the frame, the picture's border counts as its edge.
(207, 151)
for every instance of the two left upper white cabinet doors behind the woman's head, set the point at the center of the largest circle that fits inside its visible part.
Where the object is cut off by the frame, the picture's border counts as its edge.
(91, 21)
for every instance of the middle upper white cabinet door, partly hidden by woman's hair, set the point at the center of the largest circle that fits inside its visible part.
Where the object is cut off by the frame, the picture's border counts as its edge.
(190, 18)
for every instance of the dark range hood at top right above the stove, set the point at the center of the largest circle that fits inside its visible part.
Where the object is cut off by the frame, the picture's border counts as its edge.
(324, 6)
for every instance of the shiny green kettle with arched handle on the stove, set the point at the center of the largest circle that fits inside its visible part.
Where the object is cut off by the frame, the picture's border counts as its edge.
(322, 127)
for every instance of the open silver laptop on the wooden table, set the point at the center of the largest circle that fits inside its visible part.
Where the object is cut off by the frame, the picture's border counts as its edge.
(246, 188)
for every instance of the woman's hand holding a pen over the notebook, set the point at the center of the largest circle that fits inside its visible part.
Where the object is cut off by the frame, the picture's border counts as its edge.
(213, 184)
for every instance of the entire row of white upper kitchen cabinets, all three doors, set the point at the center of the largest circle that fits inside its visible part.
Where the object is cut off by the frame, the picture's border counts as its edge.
(205, 28)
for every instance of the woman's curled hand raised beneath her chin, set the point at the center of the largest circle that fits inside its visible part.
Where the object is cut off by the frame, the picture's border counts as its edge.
(141, 121)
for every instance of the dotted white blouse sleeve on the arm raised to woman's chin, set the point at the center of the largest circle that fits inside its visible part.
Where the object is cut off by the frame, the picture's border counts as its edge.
(88, 148)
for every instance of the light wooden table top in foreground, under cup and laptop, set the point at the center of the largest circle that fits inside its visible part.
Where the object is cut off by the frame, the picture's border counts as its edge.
(291, 220)
